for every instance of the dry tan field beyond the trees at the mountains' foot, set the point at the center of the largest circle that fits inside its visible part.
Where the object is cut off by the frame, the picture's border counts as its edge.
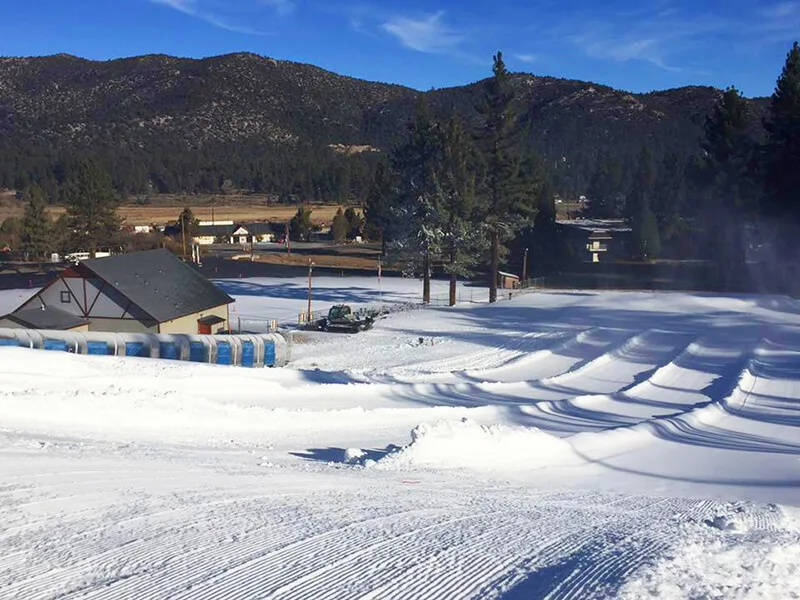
(249, 208)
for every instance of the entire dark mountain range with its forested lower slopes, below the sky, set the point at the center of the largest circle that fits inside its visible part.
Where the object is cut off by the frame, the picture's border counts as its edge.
(241, 121)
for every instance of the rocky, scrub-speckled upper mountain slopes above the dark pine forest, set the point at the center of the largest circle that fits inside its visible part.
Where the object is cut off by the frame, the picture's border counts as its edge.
(167, 106)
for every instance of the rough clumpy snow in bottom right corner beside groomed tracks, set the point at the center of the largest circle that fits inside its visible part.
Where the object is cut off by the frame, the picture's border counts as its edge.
(725, 562)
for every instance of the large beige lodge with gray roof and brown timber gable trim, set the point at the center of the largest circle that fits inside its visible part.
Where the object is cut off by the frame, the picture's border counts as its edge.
(142, 292)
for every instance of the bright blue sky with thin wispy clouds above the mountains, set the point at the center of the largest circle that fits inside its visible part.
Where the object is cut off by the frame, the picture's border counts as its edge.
(634, 45)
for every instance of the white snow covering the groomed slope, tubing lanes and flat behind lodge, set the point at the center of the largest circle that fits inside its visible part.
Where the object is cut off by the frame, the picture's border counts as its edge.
(558, 445)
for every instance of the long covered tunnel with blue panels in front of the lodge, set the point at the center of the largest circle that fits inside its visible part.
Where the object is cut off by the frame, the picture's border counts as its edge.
(256, 350)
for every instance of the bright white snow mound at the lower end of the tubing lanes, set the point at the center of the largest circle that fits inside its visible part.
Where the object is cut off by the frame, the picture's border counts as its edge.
(469, 445)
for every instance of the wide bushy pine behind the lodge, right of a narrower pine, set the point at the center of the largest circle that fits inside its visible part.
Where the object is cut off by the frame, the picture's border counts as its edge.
(91, 207)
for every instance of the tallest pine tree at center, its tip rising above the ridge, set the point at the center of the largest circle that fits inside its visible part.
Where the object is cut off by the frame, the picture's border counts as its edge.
(507, 204)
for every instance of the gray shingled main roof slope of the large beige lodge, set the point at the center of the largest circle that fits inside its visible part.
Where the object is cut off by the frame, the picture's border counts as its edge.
(158, 282)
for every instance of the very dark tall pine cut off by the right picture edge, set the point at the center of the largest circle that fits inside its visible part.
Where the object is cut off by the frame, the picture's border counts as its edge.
(783, 142)
